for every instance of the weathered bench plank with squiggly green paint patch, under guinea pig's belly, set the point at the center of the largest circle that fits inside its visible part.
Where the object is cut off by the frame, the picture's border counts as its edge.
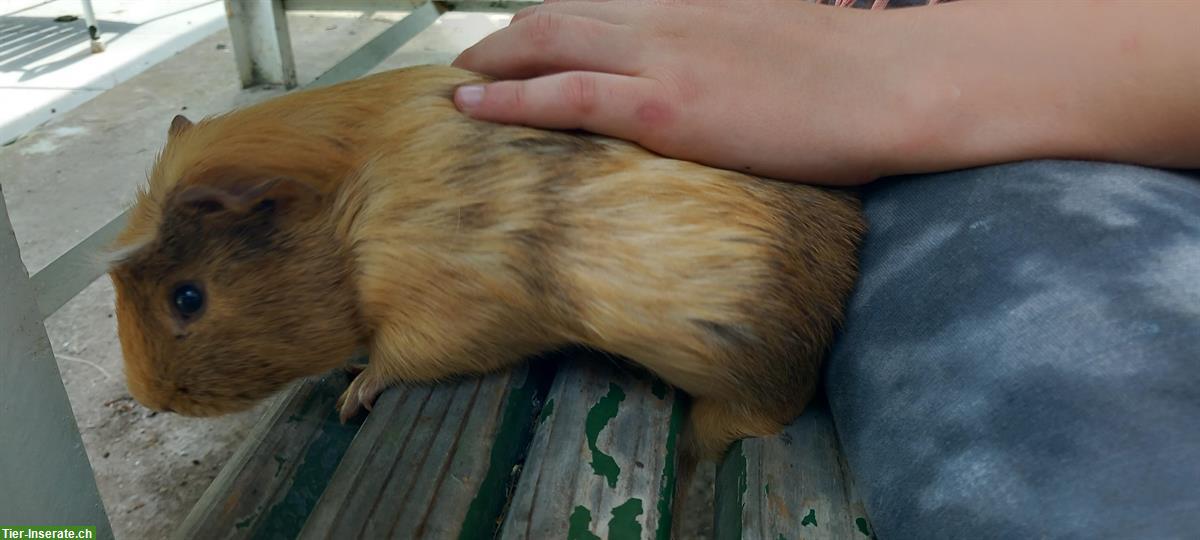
(603, 459)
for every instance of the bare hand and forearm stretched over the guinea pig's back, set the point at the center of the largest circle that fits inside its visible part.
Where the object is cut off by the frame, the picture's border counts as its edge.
(823, 95)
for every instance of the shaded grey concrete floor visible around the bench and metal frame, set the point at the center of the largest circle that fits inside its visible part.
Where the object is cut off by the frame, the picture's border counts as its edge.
(71, 176)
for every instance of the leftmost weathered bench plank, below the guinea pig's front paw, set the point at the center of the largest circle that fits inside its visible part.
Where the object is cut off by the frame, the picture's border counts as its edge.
(273, 483)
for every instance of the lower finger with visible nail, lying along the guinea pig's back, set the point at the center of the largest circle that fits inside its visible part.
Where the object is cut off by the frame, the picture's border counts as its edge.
(632, 109)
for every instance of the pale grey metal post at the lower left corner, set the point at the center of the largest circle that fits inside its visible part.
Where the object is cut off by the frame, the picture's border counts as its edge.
(45, 475)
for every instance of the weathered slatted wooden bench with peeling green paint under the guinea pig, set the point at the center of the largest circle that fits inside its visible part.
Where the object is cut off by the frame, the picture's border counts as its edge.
(577, 445)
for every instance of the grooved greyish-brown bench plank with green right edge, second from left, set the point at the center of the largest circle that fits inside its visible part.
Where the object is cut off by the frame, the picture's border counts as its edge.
(434, 461)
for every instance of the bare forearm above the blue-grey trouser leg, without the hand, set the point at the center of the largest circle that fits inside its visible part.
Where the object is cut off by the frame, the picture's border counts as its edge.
(1006, 81)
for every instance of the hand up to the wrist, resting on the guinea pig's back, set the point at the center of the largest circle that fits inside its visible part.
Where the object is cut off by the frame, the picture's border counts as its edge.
(783, 89)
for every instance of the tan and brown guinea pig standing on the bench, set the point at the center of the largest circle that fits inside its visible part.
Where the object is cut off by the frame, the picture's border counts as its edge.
(275, 242)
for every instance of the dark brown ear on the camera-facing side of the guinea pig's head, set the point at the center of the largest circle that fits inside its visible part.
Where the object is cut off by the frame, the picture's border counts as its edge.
(245, 197)
